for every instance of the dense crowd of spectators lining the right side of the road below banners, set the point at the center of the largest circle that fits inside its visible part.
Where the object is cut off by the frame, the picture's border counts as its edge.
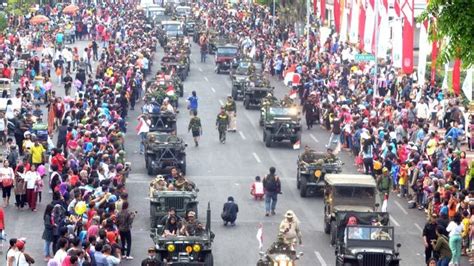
(410, 137)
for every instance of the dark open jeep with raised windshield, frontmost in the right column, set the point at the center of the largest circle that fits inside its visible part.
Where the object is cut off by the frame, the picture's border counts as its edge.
(365, 238)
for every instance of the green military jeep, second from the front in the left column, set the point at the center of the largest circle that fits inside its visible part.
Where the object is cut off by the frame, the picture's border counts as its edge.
(162, 201)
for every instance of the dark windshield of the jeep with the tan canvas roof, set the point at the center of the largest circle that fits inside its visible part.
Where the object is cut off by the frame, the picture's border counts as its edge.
(354, 196)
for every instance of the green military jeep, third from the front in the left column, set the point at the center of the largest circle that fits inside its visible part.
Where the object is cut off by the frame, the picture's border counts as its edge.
(163, 151)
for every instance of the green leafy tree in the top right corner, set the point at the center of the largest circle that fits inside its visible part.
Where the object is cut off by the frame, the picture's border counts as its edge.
(453, 22)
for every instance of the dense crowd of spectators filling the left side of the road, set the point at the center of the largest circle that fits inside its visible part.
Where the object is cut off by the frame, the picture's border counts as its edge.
(89, 219)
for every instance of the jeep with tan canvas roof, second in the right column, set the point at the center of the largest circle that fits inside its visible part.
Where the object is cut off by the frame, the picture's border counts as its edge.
(347, 192)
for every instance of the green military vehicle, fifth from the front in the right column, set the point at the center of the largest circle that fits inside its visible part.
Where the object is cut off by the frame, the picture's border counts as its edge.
(257, 88)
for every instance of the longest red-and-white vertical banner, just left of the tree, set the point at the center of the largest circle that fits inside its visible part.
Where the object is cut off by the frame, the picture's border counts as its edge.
(407, 8)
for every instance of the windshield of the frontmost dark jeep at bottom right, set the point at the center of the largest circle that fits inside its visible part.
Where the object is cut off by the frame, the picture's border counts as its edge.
(369, 233)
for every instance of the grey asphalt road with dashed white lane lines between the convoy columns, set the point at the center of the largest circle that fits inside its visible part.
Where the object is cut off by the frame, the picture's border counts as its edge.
(222, 170)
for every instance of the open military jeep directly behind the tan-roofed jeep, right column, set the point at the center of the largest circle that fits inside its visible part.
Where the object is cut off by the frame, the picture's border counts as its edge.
(310, 175)
